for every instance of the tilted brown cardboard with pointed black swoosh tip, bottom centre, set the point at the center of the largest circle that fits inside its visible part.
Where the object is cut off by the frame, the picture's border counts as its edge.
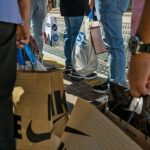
(89, 129)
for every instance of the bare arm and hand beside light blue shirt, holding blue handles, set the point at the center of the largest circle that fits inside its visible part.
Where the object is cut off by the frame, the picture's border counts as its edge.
(23, 31)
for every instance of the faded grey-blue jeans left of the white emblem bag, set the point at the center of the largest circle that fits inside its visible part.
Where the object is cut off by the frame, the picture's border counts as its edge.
(38, 10)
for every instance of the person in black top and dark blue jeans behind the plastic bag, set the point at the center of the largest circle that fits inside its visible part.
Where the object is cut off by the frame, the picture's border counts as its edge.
(73, 12)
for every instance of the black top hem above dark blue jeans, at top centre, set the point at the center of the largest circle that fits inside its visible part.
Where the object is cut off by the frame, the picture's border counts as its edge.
(74, 7)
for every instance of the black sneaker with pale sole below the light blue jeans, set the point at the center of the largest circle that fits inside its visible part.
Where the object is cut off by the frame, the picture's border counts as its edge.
(102, 89)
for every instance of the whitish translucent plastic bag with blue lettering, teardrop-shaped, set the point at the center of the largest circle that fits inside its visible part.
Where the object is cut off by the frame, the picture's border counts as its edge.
(84, 59)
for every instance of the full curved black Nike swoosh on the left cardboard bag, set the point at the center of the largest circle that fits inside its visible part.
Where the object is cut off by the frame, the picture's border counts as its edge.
(37, 137)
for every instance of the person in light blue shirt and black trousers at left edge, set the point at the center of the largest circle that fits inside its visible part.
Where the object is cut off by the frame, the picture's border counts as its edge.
(12, 12)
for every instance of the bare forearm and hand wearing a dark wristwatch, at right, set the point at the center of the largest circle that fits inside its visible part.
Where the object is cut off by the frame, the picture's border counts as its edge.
(139, 69)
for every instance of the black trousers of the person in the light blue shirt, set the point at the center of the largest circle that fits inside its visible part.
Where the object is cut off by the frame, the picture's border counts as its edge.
(7, 76)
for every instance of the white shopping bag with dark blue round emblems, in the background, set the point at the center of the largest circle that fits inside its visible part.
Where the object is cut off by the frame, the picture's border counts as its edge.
(51, 31)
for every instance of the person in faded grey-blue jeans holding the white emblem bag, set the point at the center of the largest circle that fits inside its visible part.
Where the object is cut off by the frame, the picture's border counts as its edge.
(38, 11)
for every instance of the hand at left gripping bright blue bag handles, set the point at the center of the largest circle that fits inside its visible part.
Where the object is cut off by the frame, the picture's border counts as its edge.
(22, 35)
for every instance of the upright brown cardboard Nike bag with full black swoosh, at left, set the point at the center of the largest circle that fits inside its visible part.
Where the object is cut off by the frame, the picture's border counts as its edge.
(40, 105)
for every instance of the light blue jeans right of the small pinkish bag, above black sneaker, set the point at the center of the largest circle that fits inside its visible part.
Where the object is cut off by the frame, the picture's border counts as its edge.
(109, 13)
